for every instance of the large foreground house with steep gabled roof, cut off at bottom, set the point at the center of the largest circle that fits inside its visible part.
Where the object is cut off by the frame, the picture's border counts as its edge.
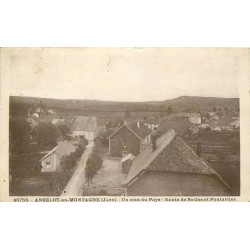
(171, 168)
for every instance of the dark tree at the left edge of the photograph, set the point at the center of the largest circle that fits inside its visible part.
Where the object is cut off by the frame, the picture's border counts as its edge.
(20, 132)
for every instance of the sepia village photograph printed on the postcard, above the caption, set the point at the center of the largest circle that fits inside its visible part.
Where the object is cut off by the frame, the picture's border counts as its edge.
(139, 122)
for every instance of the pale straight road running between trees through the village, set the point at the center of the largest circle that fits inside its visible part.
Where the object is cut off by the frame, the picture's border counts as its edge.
(74, 186)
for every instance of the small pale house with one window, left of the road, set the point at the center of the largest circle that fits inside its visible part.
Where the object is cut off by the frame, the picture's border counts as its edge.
(51, 161)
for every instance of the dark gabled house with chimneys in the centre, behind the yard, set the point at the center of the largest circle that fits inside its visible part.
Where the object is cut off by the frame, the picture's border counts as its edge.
(128, 138)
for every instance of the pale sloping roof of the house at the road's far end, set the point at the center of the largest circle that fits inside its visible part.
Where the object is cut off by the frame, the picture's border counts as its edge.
(84, 123)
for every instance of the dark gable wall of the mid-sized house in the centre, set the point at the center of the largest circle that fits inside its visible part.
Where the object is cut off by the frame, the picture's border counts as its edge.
(116, 143)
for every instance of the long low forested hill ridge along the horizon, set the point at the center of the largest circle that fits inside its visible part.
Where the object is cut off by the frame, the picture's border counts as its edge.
(188, 103)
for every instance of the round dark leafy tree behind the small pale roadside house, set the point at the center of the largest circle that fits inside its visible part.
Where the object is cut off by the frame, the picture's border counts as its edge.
(46, 135)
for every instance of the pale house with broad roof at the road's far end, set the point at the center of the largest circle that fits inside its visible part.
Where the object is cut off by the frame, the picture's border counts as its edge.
(84, 126)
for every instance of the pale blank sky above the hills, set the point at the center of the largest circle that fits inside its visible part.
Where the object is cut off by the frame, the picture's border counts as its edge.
(124, 74)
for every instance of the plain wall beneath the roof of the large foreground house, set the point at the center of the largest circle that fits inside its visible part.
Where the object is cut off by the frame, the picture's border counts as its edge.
(158, 183)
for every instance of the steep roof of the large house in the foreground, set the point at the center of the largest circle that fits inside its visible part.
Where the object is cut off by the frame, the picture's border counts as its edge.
(177, 157)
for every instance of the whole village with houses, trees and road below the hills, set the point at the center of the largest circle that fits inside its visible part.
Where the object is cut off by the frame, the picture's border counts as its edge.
(175, 152)
